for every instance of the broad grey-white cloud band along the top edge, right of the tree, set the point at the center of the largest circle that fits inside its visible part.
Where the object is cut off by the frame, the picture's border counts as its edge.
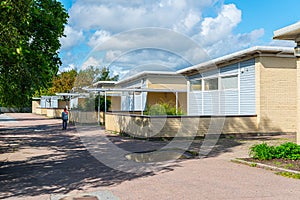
(118, 16)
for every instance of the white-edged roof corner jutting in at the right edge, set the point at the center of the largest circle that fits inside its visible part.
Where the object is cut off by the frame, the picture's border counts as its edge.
(291, 32)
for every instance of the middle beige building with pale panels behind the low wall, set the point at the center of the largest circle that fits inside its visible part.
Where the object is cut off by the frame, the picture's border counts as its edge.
(151, 87)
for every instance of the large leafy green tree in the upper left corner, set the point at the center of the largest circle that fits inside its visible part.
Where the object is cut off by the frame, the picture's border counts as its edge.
(29, 38)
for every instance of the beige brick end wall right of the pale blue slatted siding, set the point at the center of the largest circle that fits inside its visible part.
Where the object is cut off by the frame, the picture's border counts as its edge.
(276, 94)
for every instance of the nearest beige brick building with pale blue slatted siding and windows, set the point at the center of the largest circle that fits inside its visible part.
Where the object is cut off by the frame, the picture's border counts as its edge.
(258, 82)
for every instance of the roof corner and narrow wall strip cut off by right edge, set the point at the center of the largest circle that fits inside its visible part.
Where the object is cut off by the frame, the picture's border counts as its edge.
(292, 32)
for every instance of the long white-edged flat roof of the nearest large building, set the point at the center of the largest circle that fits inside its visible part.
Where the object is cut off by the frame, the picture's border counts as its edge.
(247, 53)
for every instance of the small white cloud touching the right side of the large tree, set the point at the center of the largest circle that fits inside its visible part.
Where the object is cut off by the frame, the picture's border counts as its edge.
(73, 38)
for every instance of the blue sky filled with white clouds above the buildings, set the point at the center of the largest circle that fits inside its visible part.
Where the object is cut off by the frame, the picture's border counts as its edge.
(133, 35)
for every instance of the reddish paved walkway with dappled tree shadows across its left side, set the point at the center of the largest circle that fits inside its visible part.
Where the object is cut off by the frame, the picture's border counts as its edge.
(40, 161)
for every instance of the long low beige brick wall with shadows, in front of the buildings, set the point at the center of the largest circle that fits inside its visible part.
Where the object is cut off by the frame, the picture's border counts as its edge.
(180, 126)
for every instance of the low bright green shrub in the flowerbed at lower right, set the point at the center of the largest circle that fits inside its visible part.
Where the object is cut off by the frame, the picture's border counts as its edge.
(286, 150)
